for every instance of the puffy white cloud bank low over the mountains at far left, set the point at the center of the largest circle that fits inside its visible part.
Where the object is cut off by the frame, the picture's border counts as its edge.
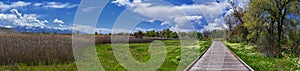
(29, 21)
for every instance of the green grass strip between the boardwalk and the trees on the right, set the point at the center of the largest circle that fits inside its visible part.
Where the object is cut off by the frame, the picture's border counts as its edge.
(260, 62)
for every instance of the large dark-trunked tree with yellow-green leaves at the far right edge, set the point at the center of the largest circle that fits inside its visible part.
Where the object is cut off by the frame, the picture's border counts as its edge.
(270, 21)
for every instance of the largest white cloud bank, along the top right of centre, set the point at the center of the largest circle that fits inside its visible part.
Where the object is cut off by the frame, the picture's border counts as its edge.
(178, 17)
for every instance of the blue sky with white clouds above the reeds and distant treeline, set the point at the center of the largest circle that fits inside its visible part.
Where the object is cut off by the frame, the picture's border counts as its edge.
(114, 16)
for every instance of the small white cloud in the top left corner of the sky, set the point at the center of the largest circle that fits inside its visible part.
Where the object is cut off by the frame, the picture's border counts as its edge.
(4, 7)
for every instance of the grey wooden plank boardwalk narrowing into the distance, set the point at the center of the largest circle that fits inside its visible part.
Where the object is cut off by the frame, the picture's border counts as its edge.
(218, 57)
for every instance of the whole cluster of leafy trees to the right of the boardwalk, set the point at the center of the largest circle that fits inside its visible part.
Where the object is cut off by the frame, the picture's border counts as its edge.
(272, 25)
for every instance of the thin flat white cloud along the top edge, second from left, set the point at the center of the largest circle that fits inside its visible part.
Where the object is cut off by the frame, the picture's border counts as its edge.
(59, 5)
